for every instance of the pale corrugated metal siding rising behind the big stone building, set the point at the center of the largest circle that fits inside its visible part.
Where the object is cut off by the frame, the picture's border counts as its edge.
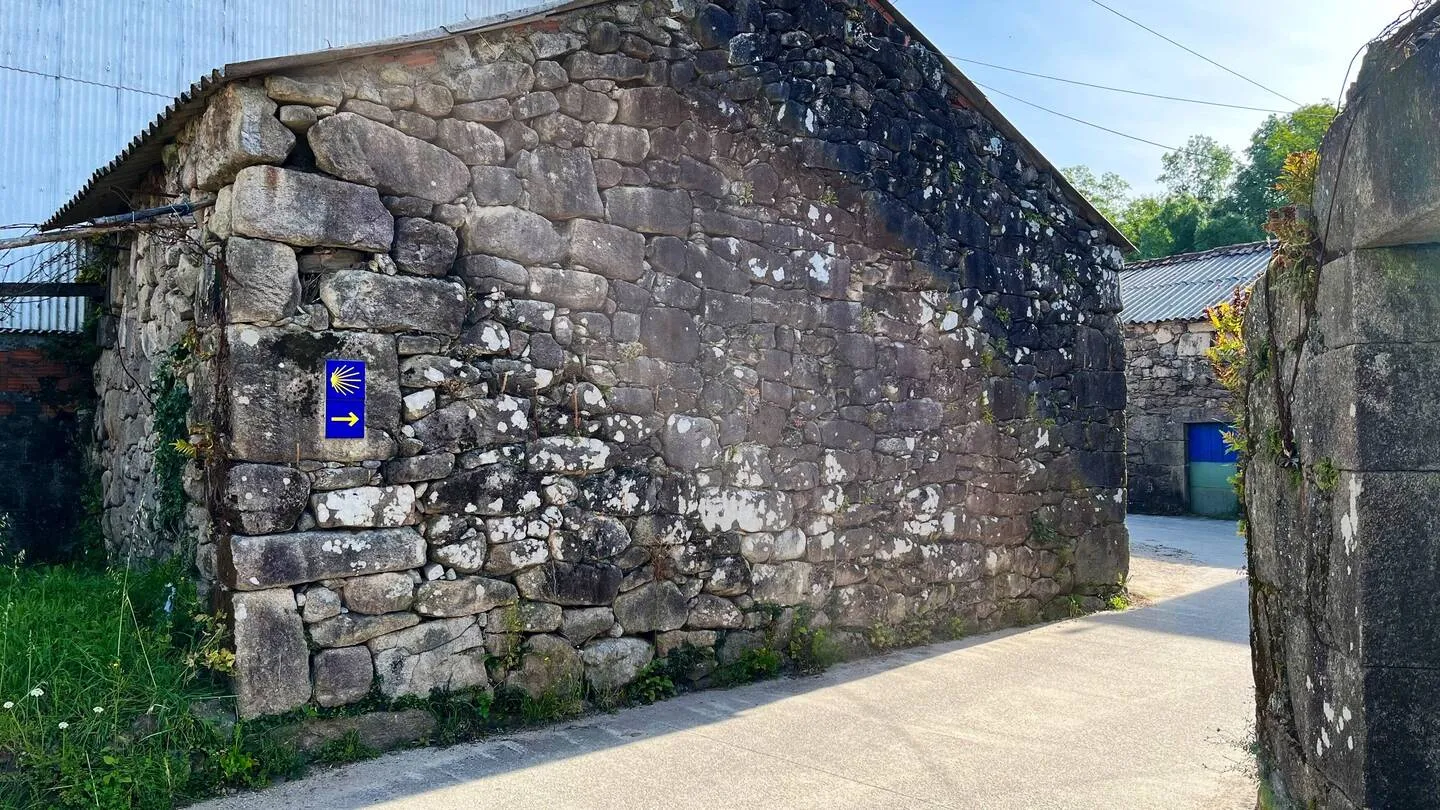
(139, 57)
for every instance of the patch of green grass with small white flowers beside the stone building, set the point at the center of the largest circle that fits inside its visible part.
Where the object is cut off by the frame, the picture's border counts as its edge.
(97, 693)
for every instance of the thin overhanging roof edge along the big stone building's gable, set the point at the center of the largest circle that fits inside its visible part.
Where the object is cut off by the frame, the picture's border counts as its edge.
(109, 188)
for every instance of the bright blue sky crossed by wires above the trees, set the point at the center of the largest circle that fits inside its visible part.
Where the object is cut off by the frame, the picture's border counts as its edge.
(1300, 48)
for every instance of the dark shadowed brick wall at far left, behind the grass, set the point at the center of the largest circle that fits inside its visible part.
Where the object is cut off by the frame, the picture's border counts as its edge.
(45, 410)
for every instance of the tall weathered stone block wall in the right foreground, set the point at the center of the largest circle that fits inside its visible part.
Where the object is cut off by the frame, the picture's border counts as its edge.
(1341, 492)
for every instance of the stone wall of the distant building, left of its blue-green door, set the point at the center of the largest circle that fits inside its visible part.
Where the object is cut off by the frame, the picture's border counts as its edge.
(1171, 386)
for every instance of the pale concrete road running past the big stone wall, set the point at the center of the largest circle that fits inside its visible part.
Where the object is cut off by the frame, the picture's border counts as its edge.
(1138, 710)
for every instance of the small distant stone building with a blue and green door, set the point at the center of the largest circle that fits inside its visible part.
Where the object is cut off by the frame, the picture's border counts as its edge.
(1177, 413)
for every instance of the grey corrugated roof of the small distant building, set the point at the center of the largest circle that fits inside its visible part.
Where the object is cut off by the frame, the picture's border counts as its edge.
(1184, 288)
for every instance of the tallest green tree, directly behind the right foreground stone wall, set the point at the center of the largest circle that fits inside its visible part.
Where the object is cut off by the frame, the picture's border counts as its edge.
(1254, 194)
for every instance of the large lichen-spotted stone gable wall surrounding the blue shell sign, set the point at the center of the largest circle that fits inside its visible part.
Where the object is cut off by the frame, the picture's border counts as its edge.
(669, 316)
